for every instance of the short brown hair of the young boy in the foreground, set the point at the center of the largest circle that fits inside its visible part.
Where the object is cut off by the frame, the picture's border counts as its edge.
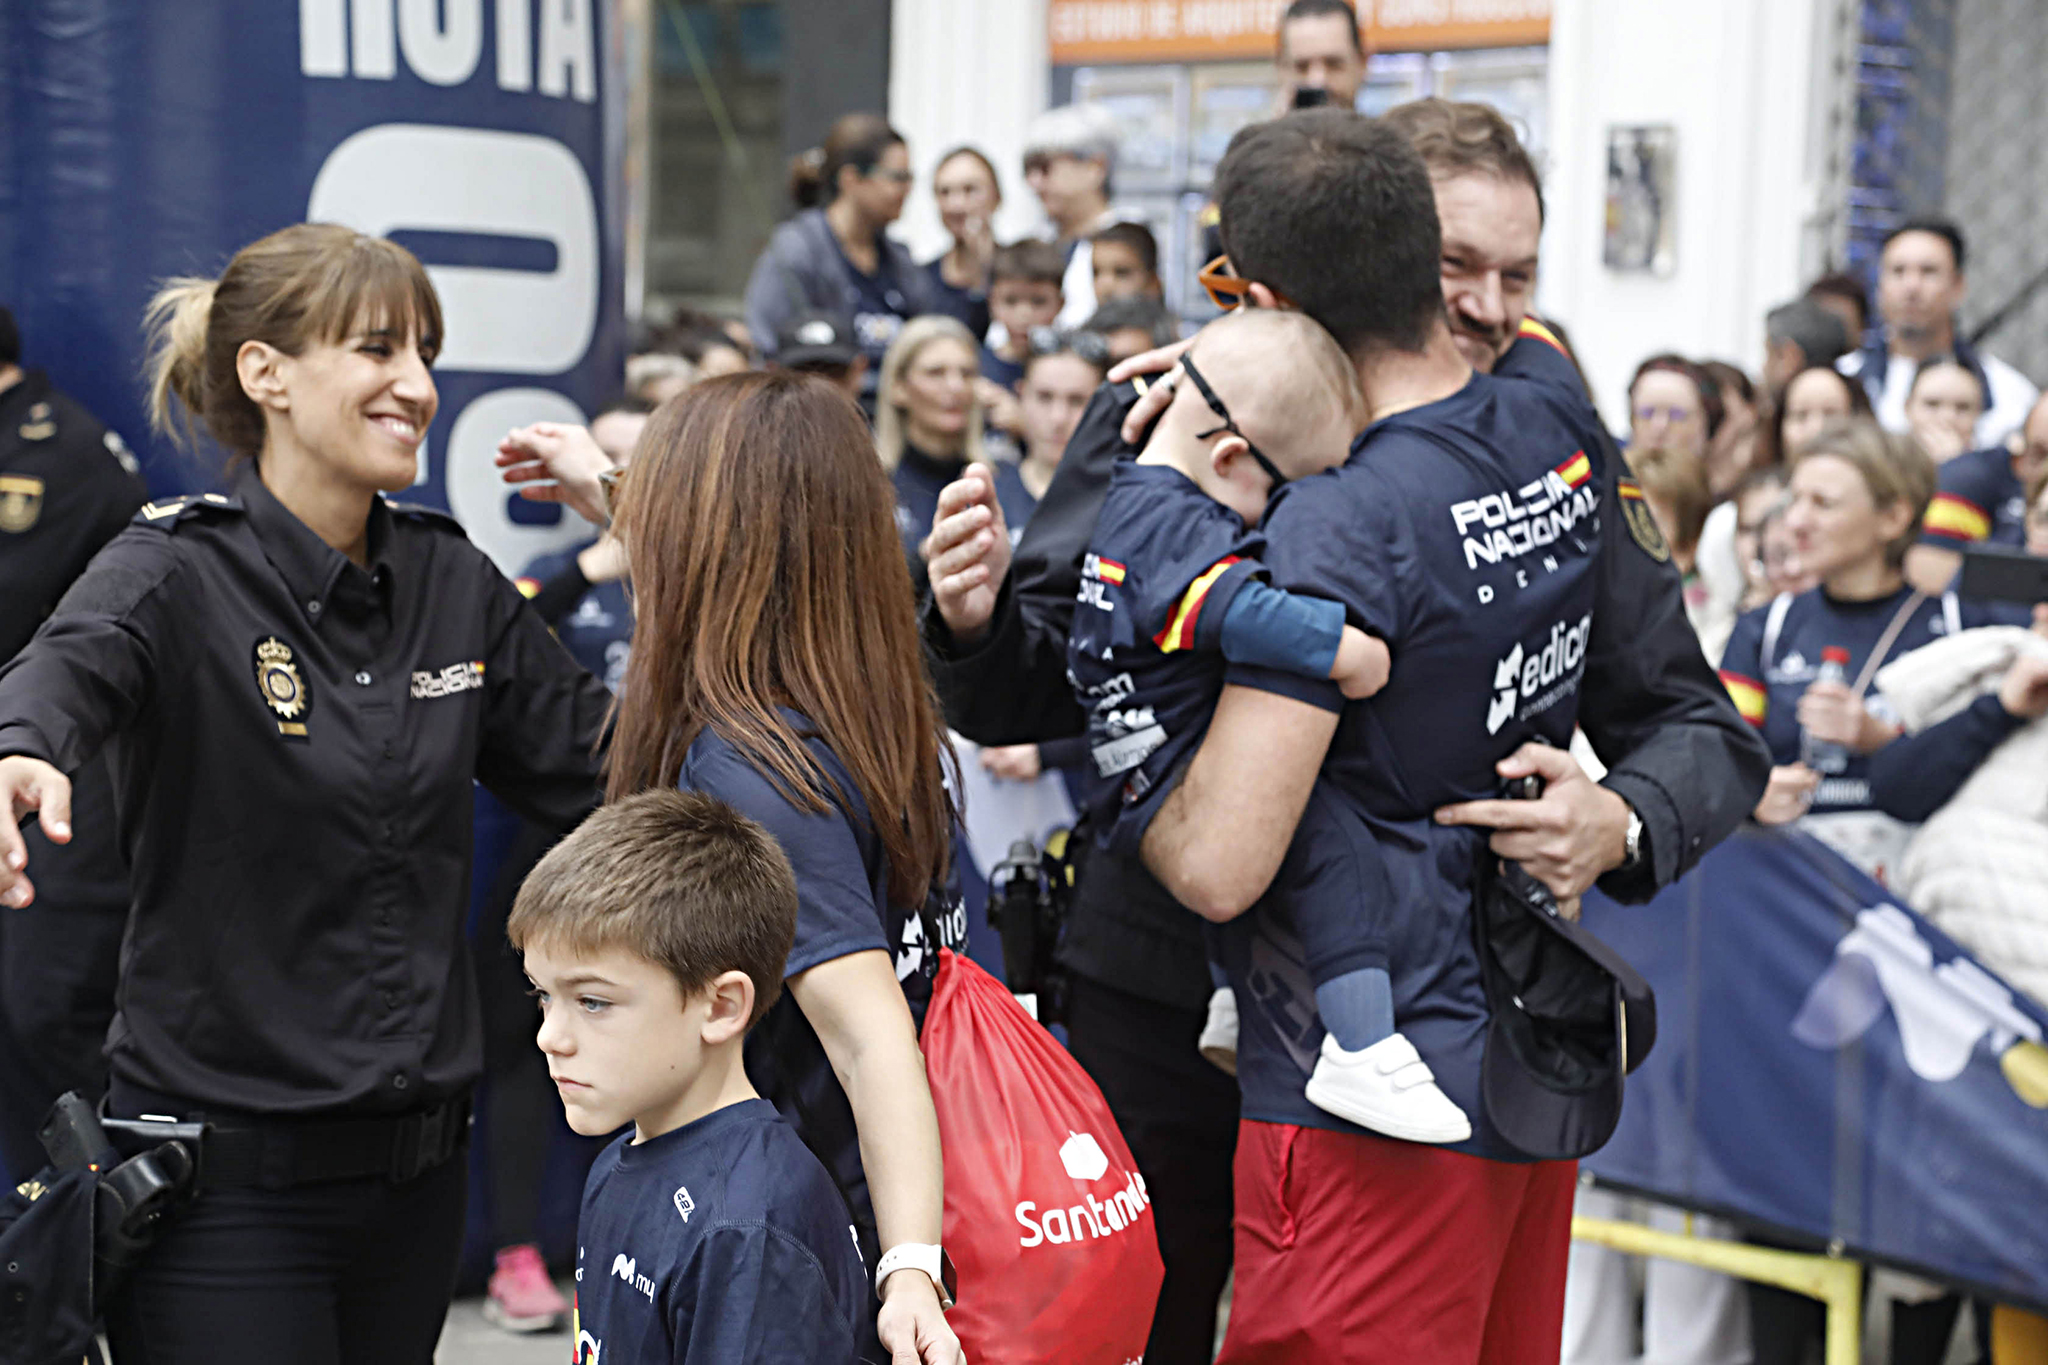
(671, 877)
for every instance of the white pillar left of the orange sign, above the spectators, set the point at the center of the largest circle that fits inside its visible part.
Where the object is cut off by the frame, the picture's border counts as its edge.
(968, 73)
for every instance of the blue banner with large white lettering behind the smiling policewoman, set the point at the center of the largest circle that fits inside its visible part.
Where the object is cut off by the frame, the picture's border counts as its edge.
(144, 140)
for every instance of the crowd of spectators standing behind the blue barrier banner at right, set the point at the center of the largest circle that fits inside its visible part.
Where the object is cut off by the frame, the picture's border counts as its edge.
(1826, 507)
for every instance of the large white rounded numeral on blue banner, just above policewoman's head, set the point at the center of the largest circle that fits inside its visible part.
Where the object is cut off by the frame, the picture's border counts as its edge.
(470, 181)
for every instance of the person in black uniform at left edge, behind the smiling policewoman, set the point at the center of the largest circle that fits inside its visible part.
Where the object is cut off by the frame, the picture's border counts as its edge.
(67, 488)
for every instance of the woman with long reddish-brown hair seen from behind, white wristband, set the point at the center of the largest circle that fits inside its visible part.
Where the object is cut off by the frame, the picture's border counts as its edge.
(777, 668)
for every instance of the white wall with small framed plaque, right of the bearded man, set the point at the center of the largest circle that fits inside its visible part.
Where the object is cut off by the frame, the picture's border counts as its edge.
(1738, 79)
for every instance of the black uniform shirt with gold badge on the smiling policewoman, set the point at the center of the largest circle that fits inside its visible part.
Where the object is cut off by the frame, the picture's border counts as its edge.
(294, 742)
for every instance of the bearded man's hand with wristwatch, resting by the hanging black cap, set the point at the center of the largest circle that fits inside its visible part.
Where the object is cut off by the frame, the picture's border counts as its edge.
(1566, 838)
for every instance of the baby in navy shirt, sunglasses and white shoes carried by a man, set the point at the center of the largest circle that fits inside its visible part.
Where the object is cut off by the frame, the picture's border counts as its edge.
(1172, 595)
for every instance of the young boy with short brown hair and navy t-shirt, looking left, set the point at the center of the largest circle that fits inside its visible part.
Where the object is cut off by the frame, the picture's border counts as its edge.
(656, 938)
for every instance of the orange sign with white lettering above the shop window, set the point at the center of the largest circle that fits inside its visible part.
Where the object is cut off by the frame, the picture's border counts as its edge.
(1238, 30)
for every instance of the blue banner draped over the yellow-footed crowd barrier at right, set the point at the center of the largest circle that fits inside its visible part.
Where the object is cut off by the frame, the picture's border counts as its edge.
(1834, 1067)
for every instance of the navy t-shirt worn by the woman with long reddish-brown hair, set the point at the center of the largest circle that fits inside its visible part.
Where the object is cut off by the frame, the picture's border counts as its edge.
(843, 908)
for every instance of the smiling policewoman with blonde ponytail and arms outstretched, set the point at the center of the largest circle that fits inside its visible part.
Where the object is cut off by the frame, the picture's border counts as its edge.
(298, 685)
